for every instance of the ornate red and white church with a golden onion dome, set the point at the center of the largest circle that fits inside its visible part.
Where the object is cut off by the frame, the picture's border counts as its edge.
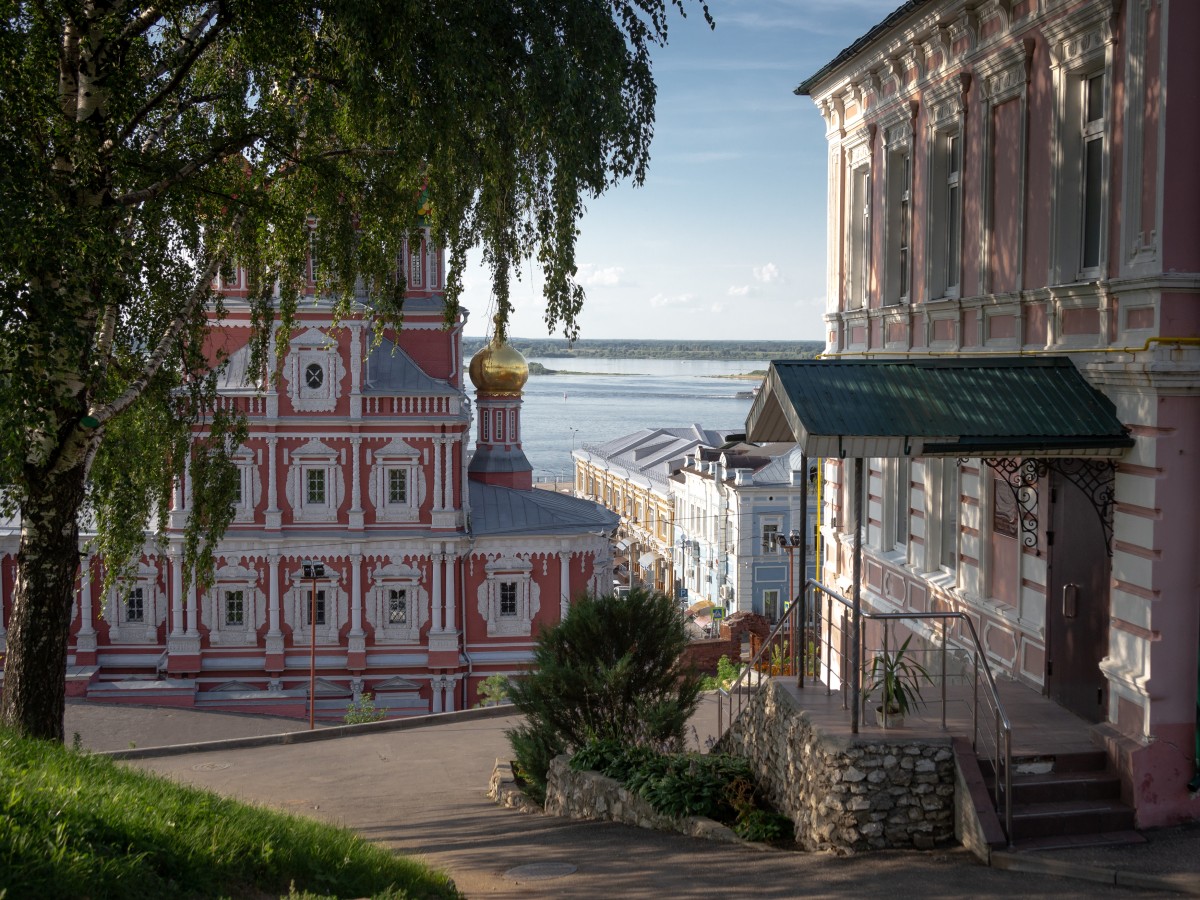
(441, 561)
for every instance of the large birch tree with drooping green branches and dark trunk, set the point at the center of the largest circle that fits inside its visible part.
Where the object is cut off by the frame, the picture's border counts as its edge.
(147, 148)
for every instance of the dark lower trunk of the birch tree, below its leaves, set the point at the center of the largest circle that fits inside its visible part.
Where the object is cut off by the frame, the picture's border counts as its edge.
(44, 603)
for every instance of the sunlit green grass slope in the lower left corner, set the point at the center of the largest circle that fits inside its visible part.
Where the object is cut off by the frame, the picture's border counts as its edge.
(80, 826)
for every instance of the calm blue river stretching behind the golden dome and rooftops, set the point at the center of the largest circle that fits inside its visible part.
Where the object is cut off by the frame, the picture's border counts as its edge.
(604, 399)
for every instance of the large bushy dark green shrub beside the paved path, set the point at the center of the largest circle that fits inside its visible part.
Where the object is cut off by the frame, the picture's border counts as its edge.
(613, 670)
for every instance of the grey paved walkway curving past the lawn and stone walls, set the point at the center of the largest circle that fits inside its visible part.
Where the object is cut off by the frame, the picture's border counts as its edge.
(422, 791)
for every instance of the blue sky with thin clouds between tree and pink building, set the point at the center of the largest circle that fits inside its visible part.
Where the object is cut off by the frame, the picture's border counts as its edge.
(727, 238)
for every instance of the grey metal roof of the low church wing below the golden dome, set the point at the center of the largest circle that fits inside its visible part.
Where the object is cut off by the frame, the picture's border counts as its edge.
(506, 511)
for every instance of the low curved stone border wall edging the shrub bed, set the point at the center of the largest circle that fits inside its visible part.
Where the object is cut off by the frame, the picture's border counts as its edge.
(592, 796)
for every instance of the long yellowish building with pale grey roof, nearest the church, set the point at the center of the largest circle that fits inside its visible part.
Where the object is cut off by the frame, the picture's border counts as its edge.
(631, 477)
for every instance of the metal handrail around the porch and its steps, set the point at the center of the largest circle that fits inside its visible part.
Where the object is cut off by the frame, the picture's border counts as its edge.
(796, 621)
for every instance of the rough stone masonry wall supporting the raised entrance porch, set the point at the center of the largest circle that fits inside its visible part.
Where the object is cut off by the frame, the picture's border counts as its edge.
(847, 793)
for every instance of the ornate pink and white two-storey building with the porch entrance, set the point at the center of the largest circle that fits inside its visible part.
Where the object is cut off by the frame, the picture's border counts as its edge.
(1013, 181)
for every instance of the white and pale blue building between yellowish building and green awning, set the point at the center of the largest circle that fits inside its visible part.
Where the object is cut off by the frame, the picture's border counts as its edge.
(736, 513)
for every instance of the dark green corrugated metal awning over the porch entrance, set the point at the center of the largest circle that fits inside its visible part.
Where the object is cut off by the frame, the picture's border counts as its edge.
(1001, 406)
